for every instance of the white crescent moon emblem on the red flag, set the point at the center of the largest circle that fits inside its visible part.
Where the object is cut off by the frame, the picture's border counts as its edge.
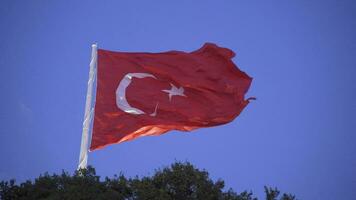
(121, 100)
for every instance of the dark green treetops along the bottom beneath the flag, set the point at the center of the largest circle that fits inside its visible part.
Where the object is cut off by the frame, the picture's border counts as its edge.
(180, 181)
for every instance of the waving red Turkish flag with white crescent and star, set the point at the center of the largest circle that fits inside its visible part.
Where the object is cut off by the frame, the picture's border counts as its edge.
(141, 94)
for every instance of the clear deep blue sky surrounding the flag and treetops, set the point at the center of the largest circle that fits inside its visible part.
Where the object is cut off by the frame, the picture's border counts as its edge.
(299, 135)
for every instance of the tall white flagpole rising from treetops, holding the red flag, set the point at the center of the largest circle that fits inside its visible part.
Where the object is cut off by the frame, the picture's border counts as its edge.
(89, 111)
